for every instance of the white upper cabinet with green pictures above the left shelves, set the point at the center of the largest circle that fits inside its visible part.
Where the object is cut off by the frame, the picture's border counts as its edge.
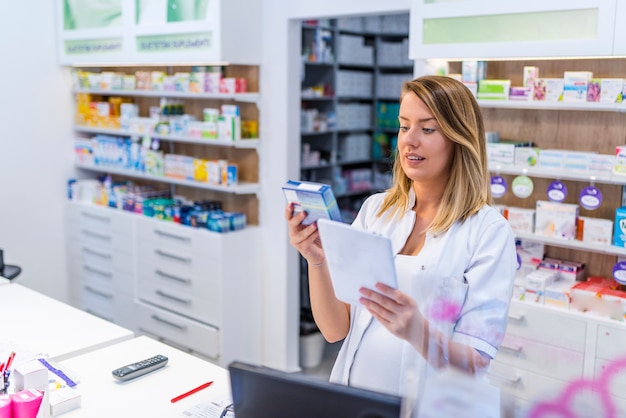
(159, 31)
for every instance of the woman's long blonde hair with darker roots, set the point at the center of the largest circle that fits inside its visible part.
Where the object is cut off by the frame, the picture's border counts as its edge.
(458, 114)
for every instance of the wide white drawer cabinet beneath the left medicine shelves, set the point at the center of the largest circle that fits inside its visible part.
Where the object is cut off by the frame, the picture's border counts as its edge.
(190, 287)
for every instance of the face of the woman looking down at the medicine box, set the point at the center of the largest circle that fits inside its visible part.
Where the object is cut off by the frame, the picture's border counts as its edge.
(425, 153)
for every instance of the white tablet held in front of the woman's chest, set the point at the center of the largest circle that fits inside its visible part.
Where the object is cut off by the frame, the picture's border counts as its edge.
(356, 258)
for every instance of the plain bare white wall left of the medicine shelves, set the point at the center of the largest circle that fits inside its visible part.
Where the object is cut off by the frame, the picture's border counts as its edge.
(35, 146)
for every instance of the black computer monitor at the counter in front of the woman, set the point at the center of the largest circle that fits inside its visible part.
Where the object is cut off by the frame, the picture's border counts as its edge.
(262, 392)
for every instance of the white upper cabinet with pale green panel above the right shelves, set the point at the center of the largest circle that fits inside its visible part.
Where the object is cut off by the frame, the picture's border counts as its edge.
(505, 29)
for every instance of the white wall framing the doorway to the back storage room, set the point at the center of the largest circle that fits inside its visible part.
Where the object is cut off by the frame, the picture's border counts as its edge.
(280, 150)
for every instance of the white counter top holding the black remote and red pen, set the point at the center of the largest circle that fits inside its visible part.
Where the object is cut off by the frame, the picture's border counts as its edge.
(148, 395)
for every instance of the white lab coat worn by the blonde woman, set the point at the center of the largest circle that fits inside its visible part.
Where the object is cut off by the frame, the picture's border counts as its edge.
(472, 266)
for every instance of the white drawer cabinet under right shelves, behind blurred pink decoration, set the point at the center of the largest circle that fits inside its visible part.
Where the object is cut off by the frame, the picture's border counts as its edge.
(547, 350)
